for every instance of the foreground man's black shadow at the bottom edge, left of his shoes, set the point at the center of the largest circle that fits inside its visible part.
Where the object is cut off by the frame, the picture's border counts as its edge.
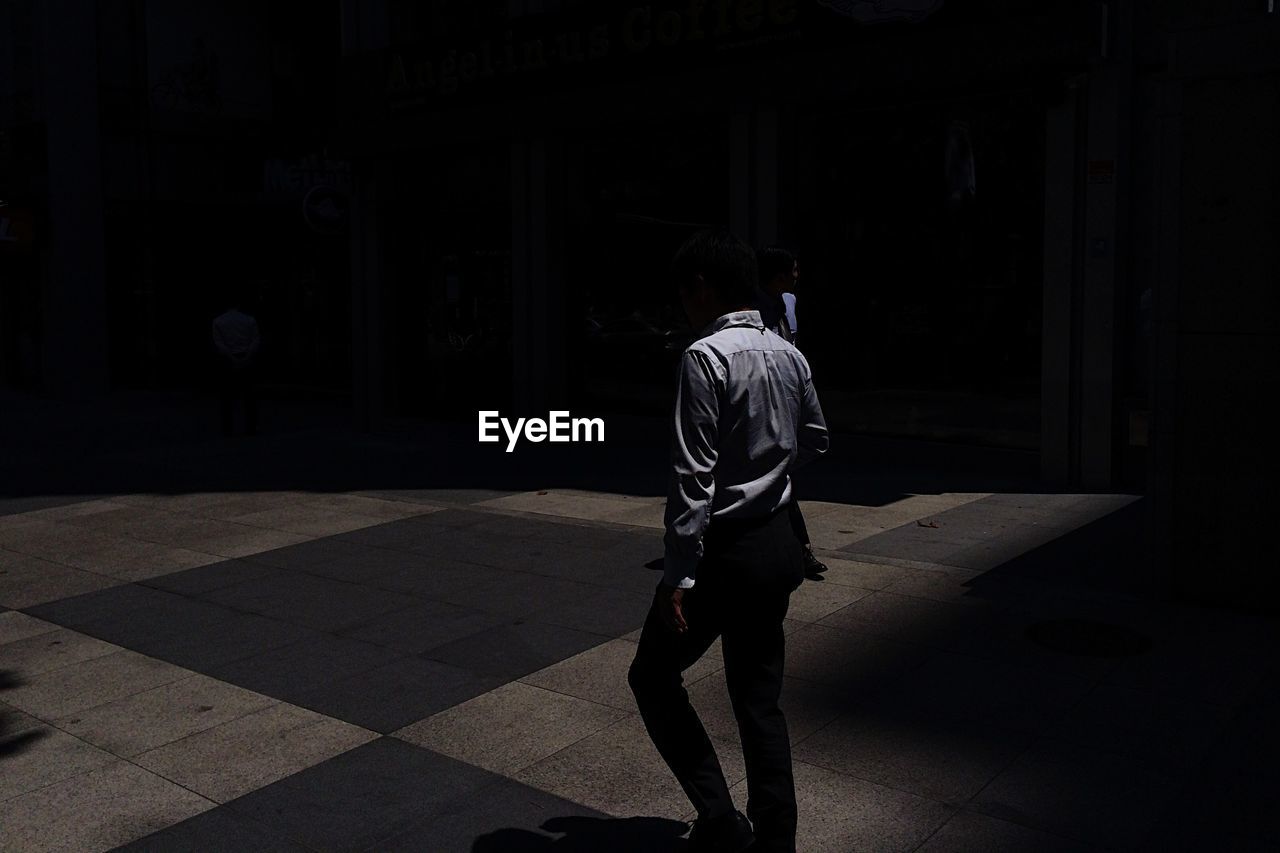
(589, 836)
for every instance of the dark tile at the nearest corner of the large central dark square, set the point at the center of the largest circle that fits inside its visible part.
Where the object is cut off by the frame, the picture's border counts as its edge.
(394, 696)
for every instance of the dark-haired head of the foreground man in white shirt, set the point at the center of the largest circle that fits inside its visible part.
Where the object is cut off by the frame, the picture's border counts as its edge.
(716, 275)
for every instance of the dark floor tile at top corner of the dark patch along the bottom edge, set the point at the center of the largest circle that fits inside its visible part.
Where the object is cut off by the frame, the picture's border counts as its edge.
(365, 796)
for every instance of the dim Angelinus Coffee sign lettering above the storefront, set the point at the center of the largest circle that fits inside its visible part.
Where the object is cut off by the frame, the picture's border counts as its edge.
(639, 30)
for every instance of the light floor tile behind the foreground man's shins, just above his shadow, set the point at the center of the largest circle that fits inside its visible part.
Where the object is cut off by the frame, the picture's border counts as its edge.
(619, 772)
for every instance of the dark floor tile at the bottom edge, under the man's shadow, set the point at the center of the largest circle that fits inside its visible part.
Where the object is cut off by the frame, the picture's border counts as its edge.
(511, 818)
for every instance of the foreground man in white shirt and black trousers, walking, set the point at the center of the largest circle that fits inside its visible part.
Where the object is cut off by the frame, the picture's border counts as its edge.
(747, 414)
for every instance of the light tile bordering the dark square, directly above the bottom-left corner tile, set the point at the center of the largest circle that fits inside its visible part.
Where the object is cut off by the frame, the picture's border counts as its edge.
(152, 719)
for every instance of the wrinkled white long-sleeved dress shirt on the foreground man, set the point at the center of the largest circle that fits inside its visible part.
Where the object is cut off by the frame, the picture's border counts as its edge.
(747, 416)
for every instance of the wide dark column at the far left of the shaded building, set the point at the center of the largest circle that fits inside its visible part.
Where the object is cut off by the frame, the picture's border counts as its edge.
(75, 337)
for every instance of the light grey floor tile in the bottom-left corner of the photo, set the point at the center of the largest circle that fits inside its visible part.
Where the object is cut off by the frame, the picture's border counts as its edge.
(98, 811)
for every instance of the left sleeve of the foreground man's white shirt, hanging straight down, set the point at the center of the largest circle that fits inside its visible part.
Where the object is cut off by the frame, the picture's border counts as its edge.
(693, 459)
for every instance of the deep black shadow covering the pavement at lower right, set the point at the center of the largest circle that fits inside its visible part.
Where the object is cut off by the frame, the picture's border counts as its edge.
(1046, 681)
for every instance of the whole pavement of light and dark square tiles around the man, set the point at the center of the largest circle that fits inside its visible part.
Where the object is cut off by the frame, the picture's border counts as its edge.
(446, 672)
